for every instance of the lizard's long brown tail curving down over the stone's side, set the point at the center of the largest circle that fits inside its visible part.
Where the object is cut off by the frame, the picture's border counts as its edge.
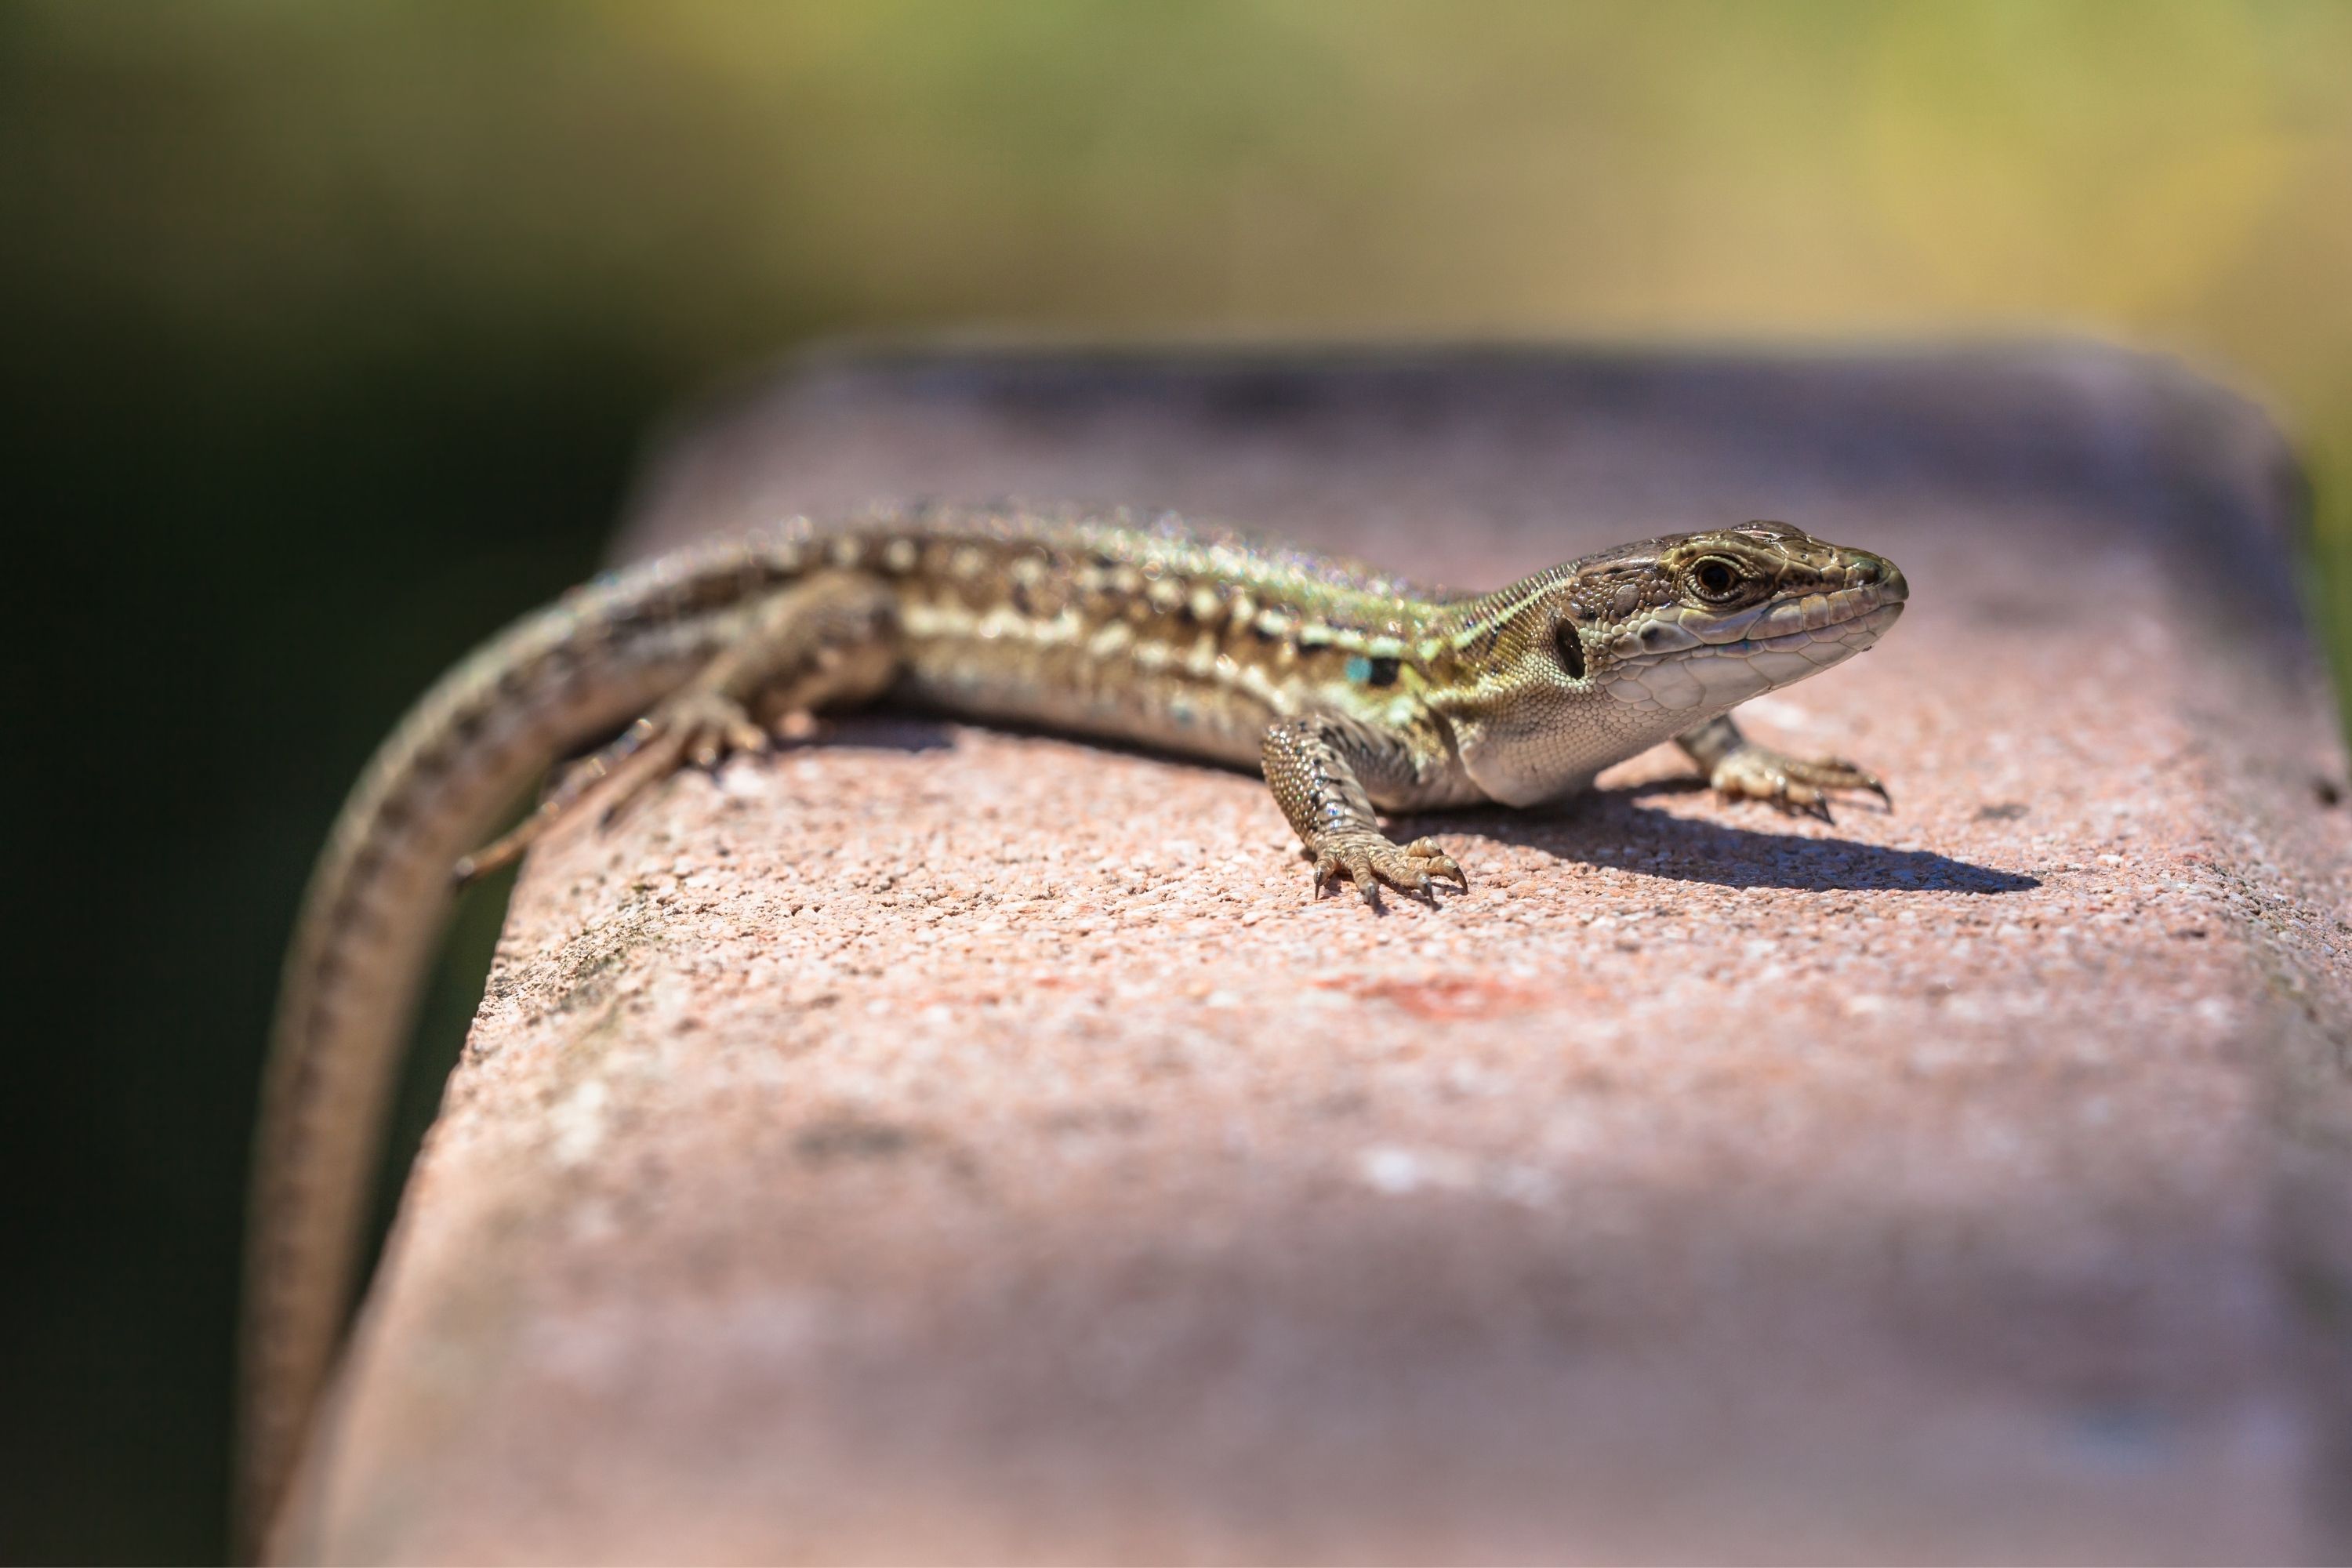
(368, 932)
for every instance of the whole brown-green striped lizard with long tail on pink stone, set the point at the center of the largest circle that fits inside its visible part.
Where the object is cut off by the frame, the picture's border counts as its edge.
(1351, 690)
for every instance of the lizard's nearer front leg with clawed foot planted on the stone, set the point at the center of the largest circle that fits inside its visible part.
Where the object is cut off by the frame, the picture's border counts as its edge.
(1316, 770)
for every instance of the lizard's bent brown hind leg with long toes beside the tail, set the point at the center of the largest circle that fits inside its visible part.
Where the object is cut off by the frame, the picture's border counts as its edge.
(831, 638)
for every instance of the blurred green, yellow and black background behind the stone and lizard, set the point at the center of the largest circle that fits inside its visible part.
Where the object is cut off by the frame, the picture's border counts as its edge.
(333, 335)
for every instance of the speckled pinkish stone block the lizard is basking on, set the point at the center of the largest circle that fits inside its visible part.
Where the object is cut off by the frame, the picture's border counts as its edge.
(961, 1146)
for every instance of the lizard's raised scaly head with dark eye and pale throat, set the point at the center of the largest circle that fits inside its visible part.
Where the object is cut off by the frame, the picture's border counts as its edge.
(1596, 662)
